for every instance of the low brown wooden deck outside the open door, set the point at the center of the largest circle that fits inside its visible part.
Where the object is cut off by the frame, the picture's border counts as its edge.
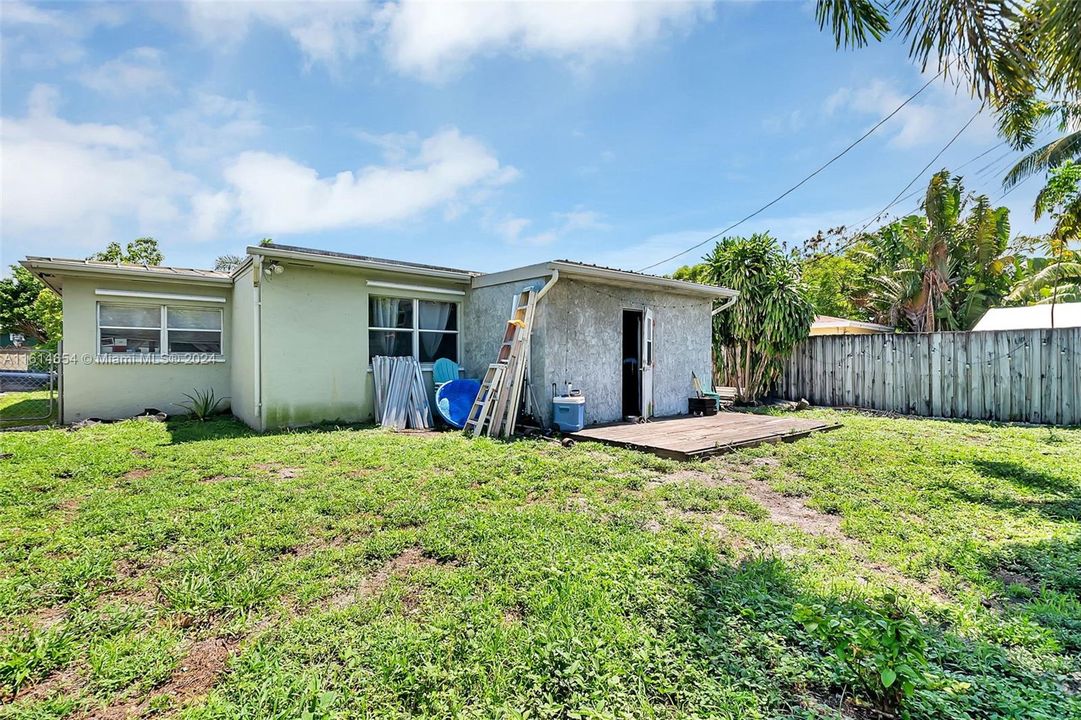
(686, 438)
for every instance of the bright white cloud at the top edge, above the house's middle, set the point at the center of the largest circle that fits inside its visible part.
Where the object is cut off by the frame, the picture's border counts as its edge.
(433, 41)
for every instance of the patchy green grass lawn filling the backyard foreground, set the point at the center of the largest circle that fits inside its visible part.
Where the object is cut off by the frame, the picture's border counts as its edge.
(204, 571)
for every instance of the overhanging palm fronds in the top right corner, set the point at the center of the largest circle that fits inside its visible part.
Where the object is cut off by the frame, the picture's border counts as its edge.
(1022, 57)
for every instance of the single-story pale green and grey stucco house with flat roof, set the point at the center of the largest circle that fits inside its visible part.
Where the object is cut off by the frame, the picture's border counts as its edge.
(289, 335)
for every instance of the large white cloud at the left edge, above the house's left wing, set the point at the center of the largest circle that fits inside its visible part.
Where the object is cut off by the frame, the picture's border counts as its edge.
(74, 180)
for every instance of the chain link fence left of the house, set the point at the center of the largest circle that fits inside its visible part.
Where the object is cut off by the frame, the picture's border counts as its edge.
(30, 389)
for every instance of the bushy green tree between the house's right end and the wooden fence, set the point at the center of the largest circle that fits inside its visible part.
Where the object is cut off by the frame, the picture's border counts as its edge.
(773, 314)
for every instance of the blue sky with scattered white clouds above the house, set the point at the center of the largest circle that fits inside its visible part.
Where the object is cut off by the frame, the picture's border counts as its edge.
(479, 136)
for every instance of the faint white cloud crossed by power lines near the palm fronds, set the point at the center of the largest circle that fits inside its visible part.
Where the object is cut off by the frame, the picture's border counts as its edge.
(932, 118)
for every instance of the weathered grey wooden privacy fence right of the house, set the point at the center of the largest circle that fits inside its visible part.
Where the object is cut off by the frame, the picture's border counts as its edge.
(1027, 376)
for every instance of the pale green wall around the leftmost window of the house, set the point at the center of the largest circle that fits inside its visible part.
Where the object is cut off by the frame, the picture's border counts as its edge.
(97, 390)
